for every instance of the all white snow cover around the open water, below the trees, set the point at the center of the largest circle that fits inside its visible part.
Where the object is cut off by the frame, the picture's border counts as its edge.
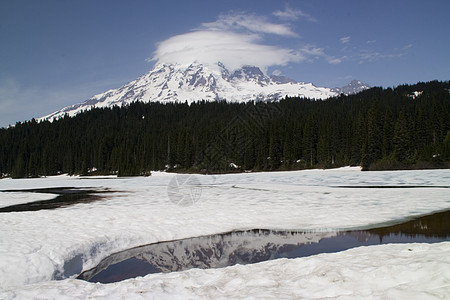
(35, 246)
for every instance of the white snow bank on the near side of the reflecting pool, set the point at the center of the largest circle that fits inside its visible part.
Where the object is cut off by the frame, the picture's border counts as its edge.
(396, 271)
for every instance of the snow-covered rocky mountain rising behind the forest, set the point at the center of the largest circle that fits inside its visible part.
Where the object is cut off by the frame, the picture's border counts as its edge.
(180, 83)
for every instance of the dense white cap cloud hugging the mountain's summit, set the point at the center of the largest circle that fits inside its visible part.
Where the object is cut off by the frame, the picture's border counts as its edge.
(234, 50)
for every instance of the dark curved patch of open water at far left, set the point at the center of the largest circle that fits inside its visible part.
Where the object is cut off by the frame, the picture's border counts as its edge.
(65, 196)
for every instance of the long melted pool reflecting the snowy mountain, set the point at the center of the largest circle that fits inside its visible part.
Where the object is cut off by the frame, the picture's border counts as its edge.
(252, 246)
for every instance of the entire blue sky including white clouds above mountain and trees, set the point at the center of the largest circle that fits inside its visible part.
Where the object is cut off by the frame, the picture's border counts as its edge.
(55, 53)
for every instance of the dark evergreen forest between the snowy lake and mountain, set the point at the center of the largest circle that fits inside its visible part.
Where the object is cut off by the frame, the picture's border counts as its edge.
(377, 129)
